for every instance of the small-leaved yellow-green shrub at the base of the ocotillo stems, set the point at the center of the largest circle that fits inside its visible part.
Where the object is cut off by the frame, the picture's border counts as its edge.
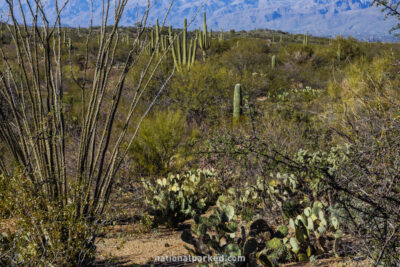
(44, 234)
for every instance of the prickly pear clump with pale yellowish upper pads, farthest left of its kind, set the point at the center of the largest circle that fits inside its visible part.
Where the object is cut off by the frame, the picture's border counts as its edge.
(179, 197)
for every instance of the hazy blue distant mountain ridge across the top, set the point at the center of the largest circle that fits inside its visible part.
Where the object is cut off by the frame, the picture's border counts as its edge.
(319, 17)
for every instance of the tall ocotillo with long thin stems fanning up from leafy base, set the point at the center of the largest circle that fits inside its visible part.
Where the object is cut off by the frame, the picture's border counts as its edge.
(62, 186)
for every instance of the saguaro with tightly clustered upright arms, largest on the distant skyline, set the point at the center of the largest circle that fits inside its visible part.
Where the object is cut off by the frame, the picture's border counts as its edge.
(182, 54)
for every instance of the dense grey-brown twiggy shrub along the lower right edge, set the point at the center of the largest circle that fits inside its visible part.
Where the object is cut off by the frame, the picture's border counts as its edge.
(366, 185)
